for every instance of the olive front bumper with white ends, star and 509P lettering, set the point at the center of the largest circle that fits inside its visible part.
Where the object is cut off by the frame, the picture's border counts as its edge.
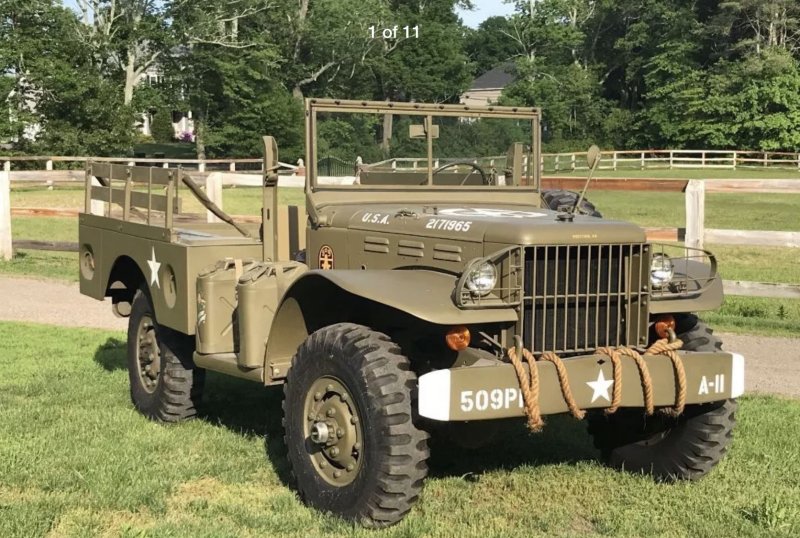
(492, 392)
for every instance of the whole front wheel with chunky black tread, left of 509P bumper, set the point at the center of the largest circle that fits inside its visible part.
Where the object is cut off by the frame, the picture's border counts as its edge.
(353, 448)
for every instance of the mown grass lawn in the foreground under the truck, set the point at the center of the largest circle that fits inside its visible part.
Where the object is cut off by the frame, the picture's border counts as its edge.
(77, 460)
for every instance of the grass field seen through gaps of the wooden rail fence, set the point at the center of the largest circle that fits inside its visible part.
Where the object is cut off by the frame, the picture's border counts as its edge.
(725, 211)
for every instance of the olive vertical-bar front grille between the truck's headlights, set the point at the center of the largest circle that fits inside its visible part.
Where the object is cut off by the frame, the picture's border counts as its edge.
(581, 297)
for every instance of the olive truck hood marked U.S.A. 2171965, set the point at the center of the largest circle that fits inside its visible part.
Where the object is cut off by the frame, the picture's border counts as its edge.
(513, 225)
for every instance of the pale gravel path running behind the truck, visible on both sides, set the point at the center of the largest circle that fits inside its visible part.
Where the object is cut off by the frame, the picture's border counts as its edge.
(773, 364)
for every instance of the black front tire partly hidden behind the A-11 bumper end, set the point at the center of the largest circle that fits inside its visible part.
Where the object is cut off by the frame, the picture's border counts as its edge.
(669, 448)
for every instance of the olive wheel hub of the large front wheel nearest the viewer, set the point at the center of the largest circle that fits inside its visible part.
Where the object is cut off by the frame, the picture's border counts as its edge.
(333, 430)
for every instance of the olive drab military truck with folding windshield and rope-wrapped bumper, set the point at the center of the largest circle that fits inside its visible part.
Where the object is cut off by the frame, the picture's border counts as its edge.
(433, 294)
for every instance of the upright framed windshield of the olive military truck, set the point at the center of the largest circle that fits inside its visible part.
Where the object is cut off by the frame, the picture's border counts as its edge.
(374, 145)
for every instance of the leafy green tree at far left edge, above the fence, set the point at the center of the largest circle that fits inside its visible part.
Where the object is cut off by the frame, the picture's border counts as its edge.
(61, 102)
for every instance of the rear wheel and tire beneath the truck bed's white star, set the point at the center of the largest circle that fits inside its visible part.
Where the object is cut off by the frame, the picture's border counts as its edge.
(164, 383)
